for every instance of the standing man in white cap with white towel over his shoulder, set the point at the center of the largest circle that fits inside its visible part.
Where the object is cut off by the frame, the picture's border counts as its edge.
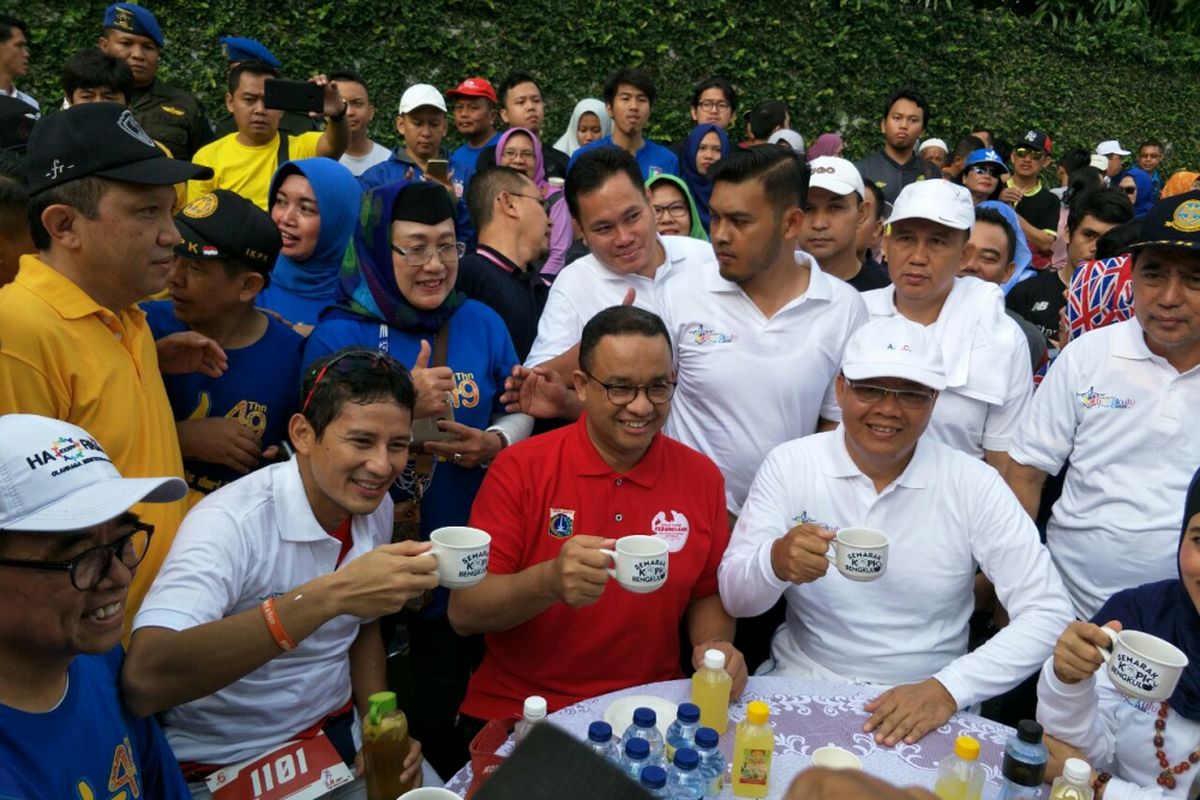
(986, 356)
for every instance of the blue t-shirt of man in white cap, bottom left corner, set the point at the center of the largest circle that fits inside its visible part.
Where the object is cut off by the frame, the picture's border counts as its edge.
(89, 747)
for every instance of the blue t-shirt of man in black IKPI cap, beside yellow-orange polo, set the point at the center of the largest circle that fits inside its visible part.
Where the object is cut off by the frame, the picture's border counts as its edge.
(261, 389)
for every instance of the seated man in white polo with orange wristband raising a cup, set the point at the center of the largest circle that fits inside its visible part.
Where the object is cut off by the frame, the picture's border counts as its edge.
(265, 618)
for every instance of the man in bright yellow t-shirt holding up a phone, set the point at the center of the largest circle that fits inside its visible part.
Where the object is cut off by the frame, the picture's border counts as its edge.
(244, 163)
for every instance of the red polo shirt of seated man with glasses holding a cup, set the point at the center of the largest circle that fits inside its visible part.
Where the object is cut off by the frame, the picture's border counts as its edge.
(545, 490)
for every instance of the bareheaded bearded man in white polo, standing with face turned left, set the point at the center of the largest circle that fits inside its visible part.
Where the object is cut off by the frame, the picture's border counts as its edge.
(758, 336)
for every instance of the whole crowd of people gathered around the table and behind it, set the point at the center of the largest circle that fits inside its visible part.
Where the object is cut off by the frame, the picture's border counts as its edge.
(248, 370)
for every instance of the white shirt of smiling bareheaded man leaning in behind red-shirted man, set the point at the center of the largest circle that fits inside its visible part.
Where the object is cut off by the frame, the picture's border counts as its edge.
(586, 287)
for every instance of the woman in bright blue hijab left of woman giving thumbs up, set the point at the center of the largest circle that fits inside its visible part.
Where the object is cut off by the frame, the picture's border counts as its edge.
(314, 203)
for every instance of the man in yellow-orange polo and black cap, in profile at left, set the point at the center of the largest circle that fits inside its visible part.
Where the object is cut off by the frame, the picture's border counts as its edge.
(74, 345)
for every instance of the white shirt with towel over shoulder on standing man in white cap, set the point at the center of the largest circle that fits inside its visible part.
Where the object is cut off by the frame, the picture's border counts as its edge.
(987, 357)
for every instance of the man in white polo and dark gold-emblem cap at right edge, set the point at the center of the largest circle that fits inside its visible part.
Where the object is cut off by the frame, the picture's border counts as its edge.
(1120, 404)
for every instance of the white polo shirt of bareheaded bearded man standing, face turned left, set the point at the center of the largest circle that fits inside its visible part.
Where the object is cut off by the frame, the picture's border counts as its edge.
(748, 383)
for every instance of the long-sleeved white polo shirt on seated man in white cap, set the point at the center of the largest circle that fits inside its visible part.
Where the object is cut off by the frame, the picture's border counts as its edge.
(945, 515)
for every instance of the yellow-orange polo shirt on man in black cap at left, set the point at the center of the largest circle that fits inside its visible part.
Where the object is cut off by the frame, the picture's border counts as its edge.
(65, 357)
